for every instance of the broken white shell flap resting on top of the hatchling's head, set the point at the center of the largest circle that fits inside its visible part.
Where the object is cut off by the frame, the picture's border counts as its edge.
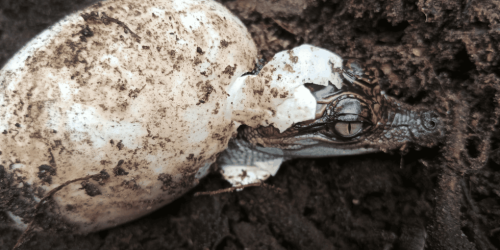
(277, 95)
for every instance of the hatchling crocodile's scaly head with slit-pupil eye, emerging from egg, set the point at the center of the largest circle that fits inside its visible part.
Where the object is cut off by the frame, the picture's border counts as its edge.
(354, 119)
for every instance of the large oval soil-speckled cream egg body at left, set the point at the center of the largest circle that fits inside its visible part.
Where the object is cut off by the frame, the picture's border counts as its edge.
(138, 90)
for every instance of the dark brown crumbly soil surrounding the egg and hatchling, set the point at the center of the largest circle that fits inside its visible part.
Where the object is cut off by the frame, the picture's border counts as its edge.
(443, 54)
